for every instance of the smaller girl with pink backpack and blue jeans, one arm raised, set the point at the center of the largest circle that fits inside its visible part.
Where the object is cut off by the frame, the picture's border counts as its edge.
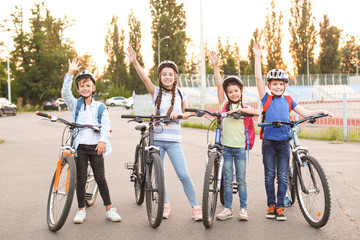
(234, 139)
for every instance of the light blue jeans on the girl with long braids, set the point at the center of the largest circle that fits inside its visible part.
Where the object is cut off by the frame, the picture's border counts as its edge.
(176, 155)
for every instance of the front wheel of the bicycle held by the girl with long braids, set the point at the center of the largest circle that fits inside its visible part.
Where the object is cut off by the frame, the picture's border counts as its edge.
(155, 187)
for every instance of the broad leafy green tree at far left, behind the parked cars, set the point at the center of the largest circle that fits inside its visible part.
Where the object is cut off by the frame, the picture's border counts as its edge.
(39, 56)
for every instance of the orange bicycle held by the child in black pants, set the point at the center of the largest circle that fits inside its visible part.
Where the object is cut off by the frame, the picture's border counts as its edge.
(63, 183)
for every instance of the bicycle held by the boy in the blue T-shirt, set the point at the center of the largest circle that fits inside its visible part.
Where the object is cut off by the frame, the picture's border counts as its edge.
(306, 177)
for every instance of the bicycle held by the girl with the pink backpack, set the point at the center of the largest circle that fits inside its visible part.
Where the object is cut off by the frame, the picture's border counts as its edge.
(214, 164)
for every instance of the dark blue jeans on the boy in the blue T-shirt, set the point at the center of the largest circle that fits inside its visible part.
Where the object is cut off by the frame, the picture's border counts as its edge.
(276, 157)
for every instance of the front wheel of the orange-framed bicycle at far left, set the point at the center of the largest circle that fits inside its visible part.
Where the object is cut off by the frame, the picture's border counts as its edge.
(59, 202)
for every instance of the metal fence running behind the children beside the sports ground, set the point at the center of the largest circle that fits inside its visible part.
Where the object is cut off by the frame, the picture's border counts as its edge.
(337, 93)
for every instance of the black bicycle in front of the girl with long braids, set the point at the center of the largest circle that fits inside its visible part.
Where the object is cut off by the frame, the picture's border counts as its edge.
(147, 170)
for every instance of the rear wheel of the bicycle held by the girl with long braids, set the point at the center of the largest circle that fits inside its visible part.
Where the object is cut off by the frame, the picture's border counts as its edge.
(138, 171)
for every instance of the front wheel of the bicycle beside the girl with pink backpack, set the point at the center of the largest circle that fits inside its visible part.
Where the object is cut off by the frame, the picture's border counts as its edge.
(209, 198)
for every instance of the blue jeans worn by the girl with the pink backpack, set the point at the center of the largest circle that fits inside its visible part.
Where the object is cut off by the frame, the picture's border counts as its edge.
(236, 155)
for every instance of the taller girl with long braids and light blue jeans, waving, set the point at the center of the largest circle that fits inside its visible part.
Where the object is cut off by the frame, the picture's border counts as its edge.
(168, 100)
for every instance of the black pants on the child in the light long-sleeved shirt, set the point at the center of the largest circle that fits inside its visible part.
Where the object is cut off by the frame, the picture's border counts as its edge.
(87, 153)
